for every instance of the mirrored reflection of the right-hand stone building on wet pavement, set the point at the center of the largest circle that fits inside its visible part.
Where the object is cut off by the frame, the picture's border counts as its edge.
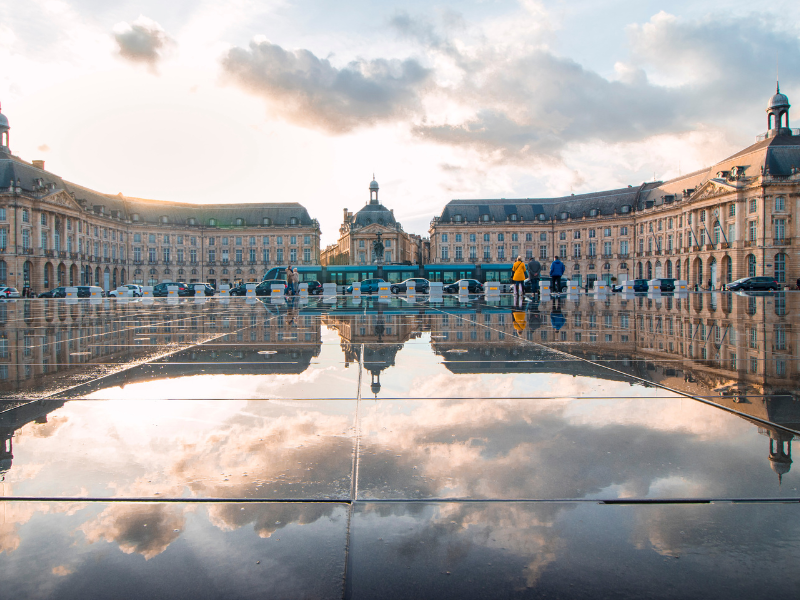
(735, 349)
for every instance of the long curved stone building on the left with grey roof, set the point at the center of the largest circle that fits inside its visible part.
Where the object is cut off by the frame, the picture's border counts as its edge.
(53, 232)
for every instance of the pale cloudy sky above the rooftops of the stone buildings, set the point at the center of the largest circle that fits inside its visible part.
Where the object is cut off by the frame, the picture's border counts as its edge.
(262, 101)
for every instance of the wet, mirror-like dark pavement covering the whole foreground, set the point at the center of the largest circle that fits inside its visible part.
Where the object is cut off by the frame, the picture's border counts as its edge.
(457, 448)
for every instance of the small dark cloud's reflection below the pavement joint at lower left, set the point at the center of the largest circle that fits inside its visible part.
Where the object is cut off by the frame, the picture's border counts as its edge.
(146, 529)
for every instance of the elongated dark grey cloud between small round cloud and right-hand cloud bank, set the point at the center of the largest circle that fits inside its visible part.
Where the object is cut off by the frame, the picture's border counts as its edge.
(311, 92)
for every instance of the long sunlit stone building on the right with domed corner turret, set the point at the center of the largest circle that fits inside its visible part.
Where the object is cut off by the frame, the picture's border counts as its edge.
(710, 227)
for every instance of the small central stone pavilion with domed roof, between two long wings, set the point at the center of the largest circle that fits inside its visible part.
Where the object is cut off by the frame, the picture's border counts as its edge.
(359, 232)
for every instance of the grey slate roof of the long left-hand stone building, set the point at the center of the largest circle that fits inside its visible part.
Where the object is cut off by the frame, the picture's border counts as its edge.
(13, 168)
